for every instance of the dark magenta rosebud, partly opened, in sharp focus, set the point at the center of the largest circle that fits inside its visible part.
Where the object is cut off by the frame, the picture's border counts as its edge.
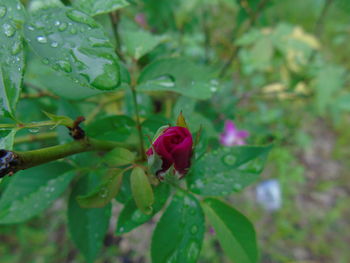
(174, 147)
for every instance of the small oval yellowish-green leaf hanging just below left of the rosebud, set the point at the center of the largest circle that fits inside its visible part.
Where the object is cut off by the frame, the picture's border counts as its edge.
(141, 190)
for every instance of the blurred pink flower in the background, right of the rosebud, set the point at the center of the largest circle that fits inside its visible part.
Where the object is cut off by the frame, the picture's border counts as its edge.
(232, 136)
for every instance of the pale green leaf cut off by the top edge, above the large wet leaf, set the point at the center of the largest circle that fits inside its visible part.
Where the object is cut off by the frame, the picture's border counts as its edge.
(97, 7)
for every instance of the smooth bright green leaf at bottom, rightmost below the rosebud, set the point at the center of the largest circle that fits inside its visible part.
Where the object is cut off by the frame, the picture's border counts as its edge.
(235, 232)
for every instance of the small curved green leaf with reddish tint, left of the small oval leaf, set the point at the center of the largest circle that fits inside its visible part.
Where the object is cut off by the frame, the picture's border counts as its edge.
(105, 192)
